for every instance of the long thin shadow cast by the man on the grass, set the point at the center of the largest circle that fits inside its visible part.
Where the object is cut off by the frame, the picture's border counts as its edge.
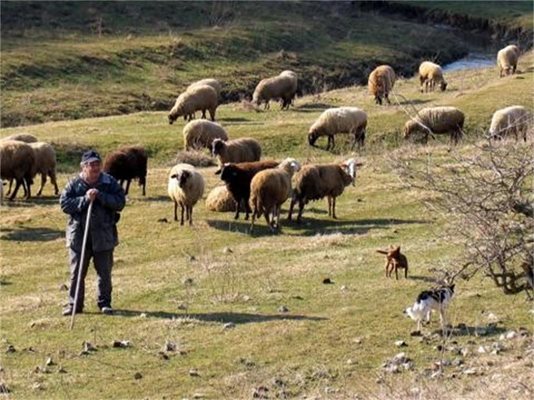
(221, 317)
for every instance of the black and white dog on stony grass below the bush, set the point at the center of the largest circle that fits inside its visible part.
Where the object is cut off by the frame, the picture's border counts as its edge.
(428, 301)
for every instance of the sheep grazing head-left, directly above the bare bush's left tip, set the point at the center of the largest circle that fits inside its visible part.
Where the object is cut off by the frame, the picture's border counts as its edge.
(437, 120)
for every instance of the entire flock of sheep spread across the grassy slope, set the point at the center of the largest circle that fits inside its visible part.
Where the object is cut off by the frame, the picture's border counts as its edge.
(259, 186)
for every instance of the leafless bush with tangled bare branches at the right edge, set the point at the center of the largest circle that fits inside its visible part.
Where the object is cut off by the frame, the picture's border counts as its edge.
(487, 193)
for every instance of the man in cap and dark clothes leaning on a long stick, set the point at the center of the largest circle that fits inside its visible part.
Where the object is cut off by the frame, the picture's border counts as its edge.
(92, 185)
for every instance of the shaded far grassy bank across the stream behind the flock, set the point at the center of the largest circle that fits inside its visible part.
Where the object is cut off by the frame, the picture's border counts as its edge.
(71, 60)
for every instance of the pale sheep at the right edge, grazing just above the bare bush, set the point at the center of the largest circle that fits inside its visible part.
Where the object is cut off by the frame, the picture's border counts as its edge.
(510, 120)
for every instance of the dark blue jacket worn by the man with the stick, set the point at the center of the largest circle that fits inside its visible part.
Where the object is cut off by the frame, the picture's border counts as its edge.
(102, 229)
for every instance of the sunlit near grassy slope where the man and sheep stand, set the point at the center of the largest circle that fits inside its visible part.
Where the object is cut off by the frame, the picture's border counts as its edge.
(233, 340)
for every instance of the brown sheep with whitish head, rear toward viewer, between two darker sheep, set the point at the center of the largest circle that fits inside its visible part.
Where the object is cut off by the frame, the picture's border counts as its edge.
(269, 189)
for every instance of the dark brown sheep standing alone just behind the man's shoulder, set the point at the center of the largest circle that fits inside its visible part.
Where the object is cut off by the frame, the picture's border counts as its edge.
(127, 163)
